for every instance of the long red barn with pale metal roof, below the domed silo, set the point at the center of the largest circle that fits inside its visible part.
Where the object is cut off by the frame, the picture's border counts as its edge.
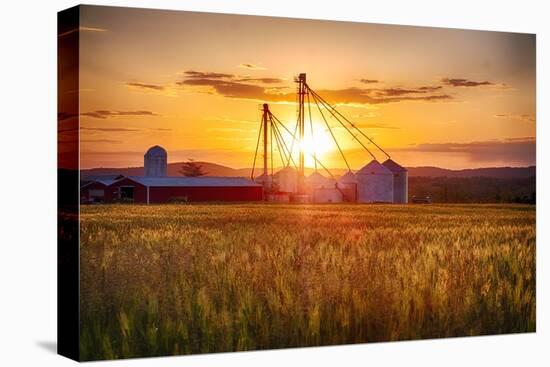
(182, 189)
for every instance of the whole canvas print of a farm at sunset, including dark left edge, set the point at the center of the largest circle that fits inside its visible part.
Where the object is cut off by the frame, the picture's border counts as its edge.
(233, 183)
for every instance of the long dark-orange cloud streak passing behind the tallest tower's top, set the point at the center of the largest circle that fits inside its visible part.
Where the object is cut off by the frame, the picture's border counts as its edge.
(228, 85)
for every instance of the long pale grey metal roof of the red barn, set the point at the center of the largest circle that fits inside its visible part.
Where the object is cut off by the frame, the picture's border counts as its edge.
(178, 181)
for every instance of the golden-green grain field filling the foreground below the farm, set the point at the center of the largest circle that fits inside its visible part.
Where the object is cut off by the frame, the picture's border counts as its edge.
(180, 279)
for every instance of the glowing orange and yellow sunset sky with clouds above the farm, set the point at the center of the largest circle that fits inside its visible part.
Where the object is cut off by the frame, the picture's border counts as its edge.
(194, 83)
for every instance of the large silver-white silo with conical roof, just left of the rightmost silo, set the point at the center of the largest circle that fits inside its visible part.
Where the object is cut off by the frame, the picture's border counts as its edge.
(374, 184)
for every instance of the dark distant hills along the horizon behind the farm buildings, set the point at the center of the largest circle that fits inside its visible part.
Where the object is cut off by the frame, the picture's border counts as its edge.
(213, 169)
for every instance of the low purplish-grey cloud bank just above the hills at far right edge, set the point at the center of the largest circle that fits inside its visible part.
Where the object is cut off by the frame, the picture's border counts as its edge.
(519, 150)
